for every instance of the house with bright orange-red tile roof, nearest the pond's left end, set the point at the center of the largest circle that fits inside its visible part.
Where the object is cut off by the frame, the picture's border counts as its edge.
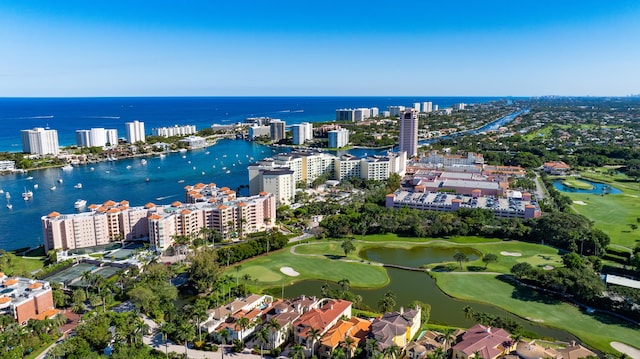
(322, 319)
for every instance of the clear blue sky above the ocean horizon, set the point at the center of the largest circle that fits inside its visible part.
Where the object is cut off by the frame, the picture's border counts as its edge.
(325, 48)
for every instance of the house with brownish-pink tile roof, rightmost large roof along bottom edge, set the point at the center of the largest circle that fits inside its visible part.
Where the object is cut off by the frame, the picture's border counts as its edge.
(489, 342)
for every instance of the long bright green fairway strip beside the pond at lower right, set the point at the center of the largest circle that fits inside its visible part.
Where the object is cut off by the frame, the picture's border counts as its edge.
(534, 306)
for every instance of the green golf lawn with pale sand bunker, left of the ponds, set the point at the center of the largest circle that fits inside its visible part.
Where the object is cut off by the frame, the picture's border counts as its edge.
(266, 269)
